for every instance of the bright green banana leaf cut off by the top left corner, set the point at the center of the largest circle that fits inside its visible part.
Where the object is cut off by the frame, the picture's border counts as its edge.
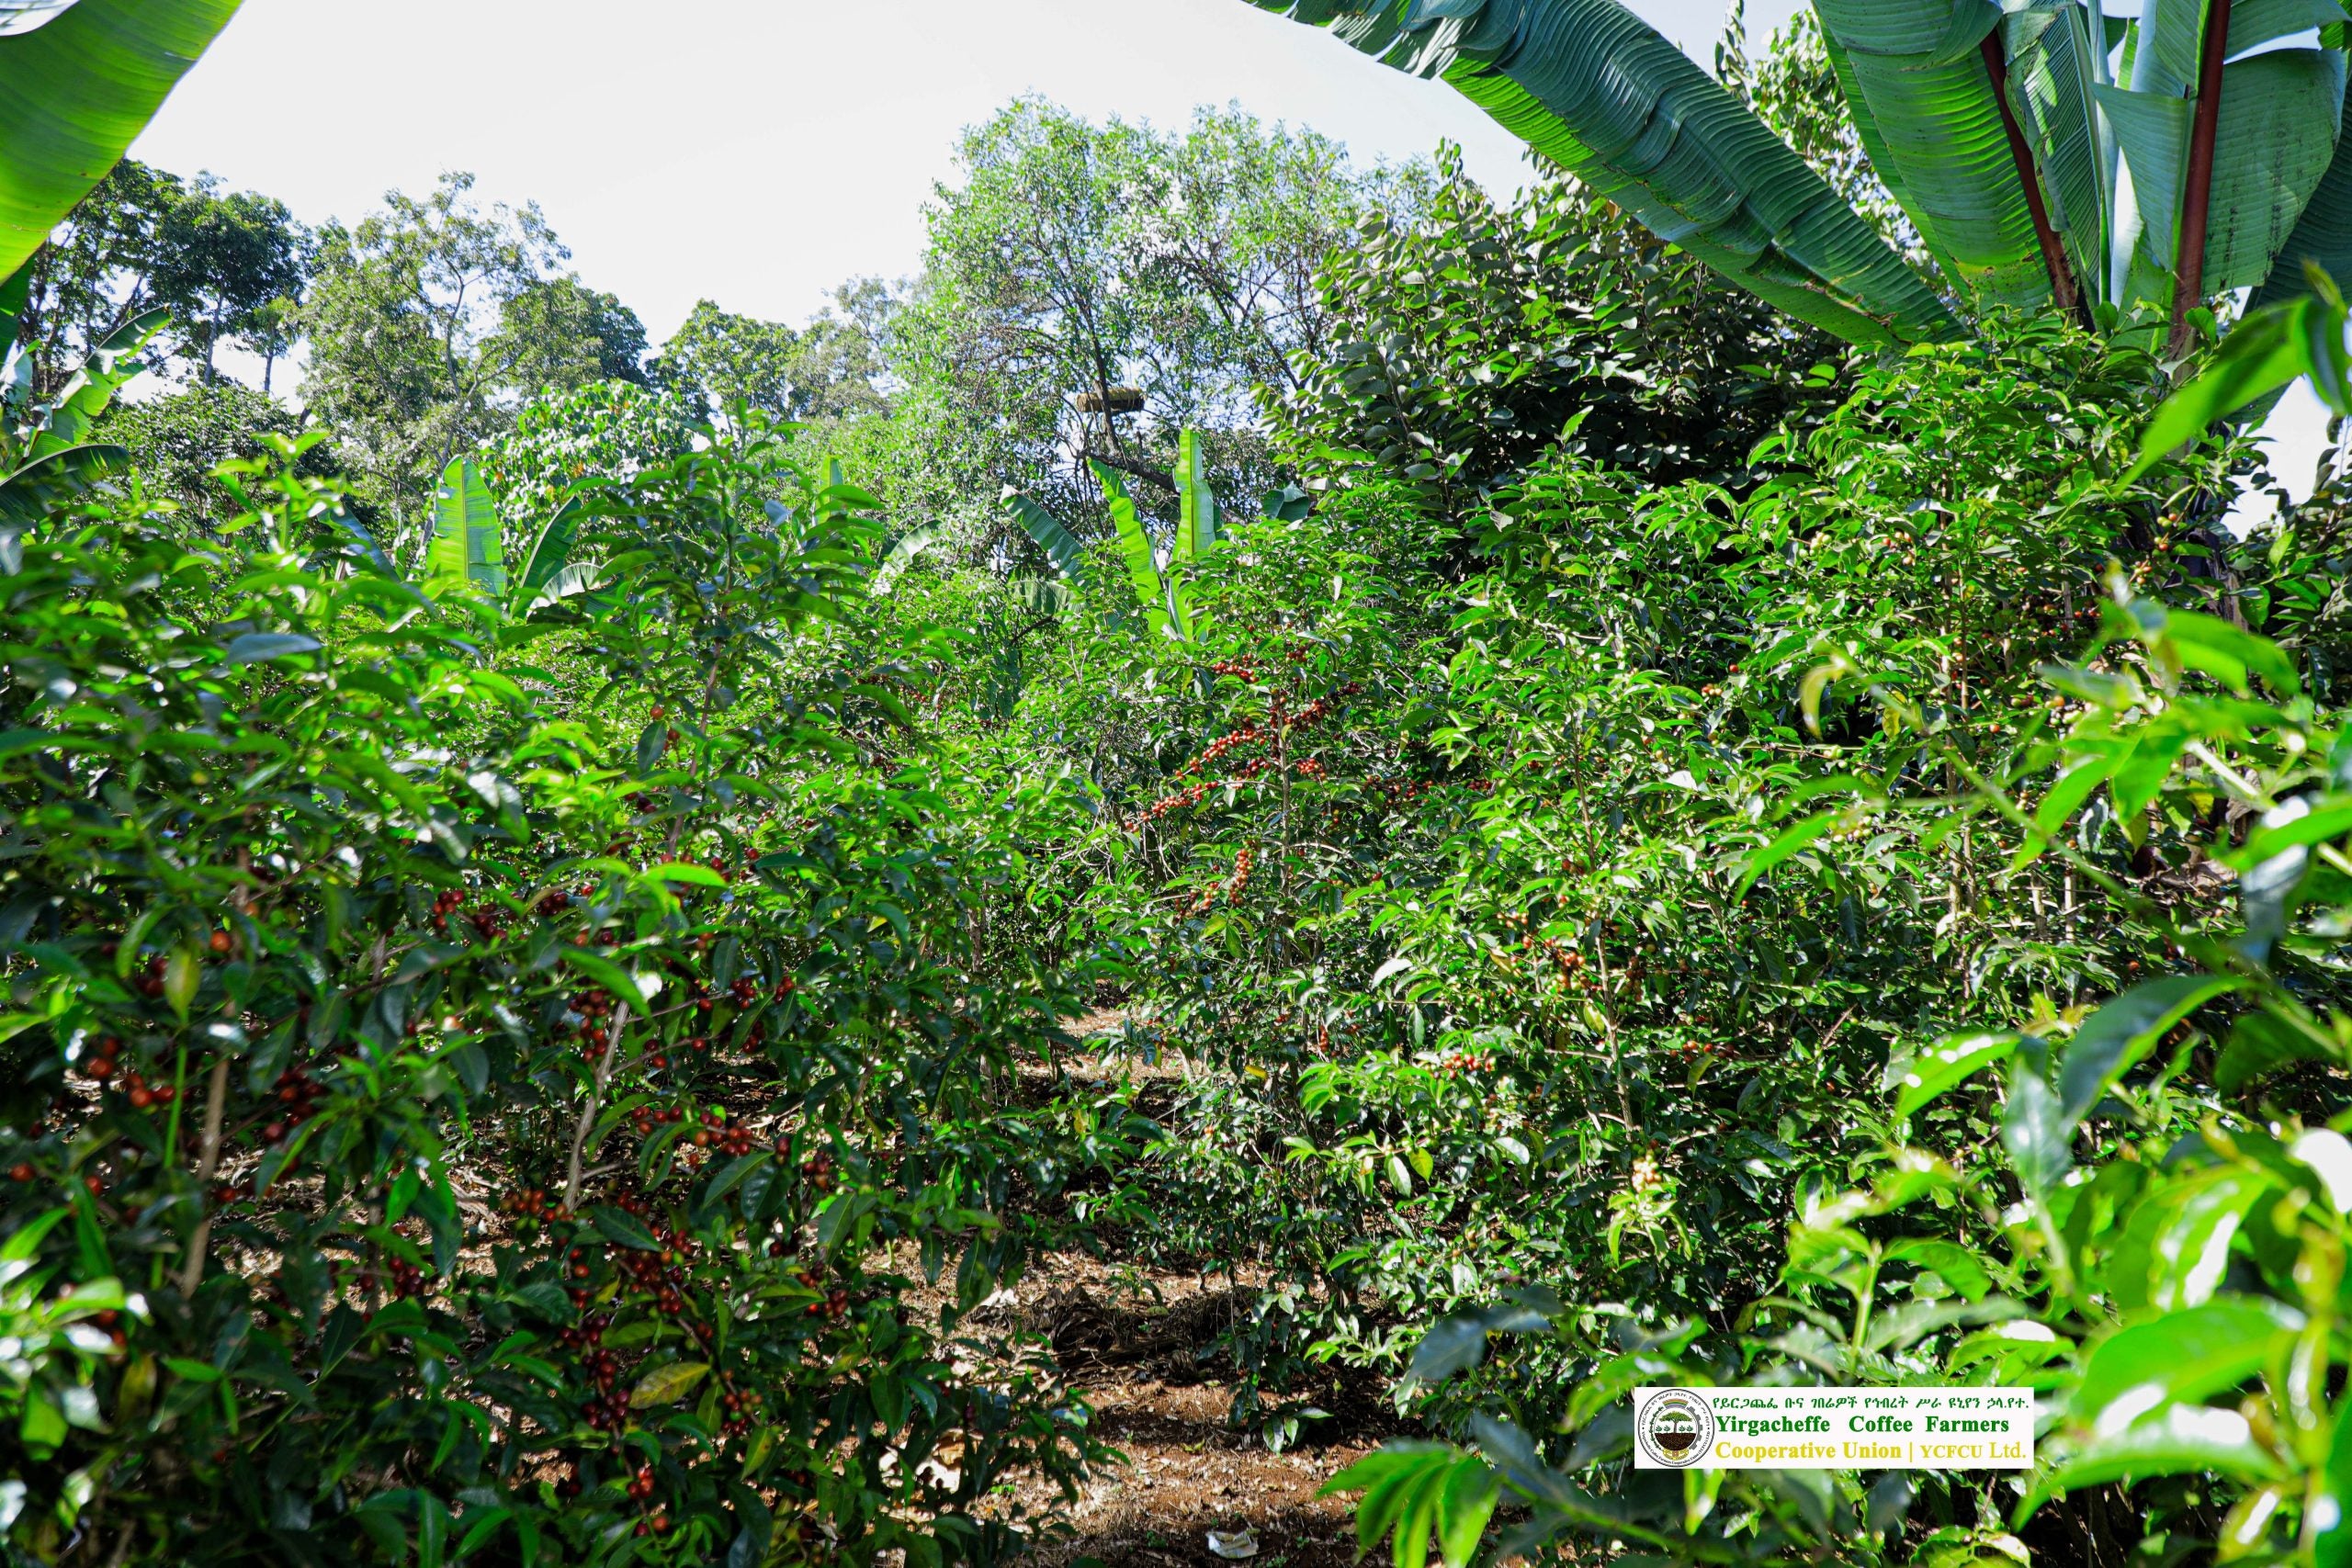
(76, 88)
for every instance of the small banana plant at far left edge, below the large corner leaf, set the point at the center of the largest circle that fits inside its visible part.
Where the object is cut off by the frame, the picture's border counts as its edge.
(46, 457)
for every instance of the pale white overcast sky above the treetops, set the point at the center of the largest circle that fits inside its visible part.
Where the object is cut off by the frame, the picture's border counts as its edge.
(761, 152)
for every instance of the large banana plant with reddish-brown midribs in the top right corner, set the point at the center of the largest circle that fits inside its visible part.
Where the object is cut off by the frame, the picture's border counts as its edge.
(2047, 154)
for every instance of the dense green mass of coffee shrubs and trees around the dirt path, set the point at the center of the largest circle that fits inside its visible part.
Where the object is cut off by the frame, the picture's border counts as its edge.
(552, 890)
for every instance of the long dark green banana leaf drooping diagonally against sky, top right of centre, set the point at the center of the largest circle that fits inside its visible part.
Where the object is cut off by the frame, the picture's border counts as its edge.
(1601, 93)
